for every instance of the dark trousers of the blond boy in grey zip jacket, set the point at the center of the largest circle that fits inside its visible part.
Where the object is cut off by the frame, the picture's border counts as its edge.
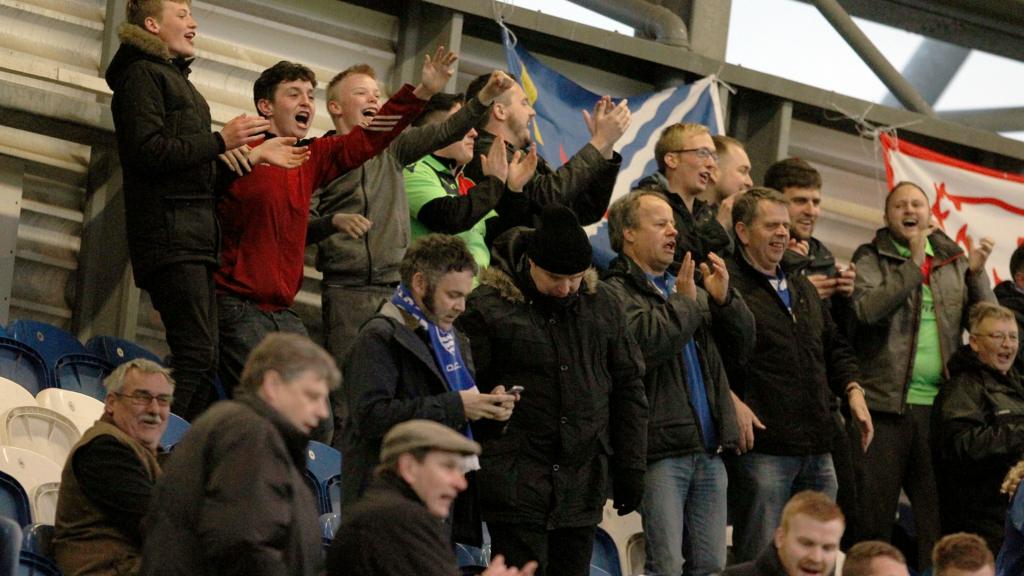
(347, 309)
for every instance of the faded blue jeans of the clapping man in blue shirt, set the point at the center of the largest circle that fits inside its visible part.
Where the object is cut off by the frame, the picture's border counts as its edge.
(687, 490)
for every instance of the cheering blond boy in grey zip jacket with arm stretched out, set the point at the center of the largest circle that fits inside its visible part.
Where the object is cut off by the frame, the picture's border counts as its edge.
(361, 222)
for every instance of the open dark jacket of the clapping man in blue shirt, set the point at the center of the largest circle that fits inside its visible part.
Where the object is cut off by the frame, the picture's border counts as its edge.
(662, 328)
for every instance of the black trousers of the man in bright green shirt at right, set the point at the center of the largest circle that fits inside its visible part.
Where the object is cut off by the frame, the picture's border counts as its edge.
(901, 457)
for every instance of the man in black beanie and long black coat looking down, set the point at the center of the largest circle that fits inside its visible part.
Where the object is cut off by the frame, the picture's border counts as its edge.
(541, 320)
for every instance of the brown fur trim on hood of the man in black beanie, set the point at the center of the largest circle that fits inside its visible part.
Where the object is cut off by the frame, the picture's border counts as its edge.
(509, 272)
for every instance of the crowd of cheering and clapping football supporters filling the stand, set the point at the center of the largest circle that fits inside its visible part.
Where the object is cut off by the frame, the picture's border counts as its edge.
(723, 371)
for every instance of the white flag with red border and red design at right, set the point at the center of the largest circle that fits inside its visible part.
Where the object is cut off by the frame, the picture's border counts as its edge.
(969, 202)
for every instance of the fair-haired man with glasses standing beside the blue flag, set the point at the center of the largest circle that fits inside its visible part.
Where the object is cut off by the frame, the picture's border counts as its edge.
(687, 168)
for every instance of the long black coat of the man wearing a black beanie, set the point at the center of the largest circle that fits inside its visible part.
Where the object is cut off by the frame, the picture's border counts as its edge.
(583, 405)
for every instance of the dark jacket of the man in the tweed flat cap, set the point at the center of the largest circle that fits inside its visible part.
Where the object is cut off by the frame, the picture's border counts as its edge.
(391, 533)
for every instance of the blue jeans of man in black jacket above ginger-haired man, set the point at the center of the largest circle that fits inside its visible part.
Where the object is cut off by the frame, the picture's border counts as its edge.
(760, 485)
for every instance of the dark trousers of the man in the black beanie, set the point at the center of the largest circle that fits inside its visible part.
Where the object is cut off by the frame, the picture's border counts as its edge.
(563, 552)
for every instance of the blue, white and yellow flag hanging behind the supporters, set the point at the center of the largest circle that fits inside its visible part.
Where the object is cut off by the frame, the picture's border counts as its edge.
(561, 132)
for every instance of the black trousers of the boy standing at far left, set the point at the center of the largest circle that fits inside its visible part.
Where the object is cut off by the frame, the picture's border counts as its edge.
(185, 297)
